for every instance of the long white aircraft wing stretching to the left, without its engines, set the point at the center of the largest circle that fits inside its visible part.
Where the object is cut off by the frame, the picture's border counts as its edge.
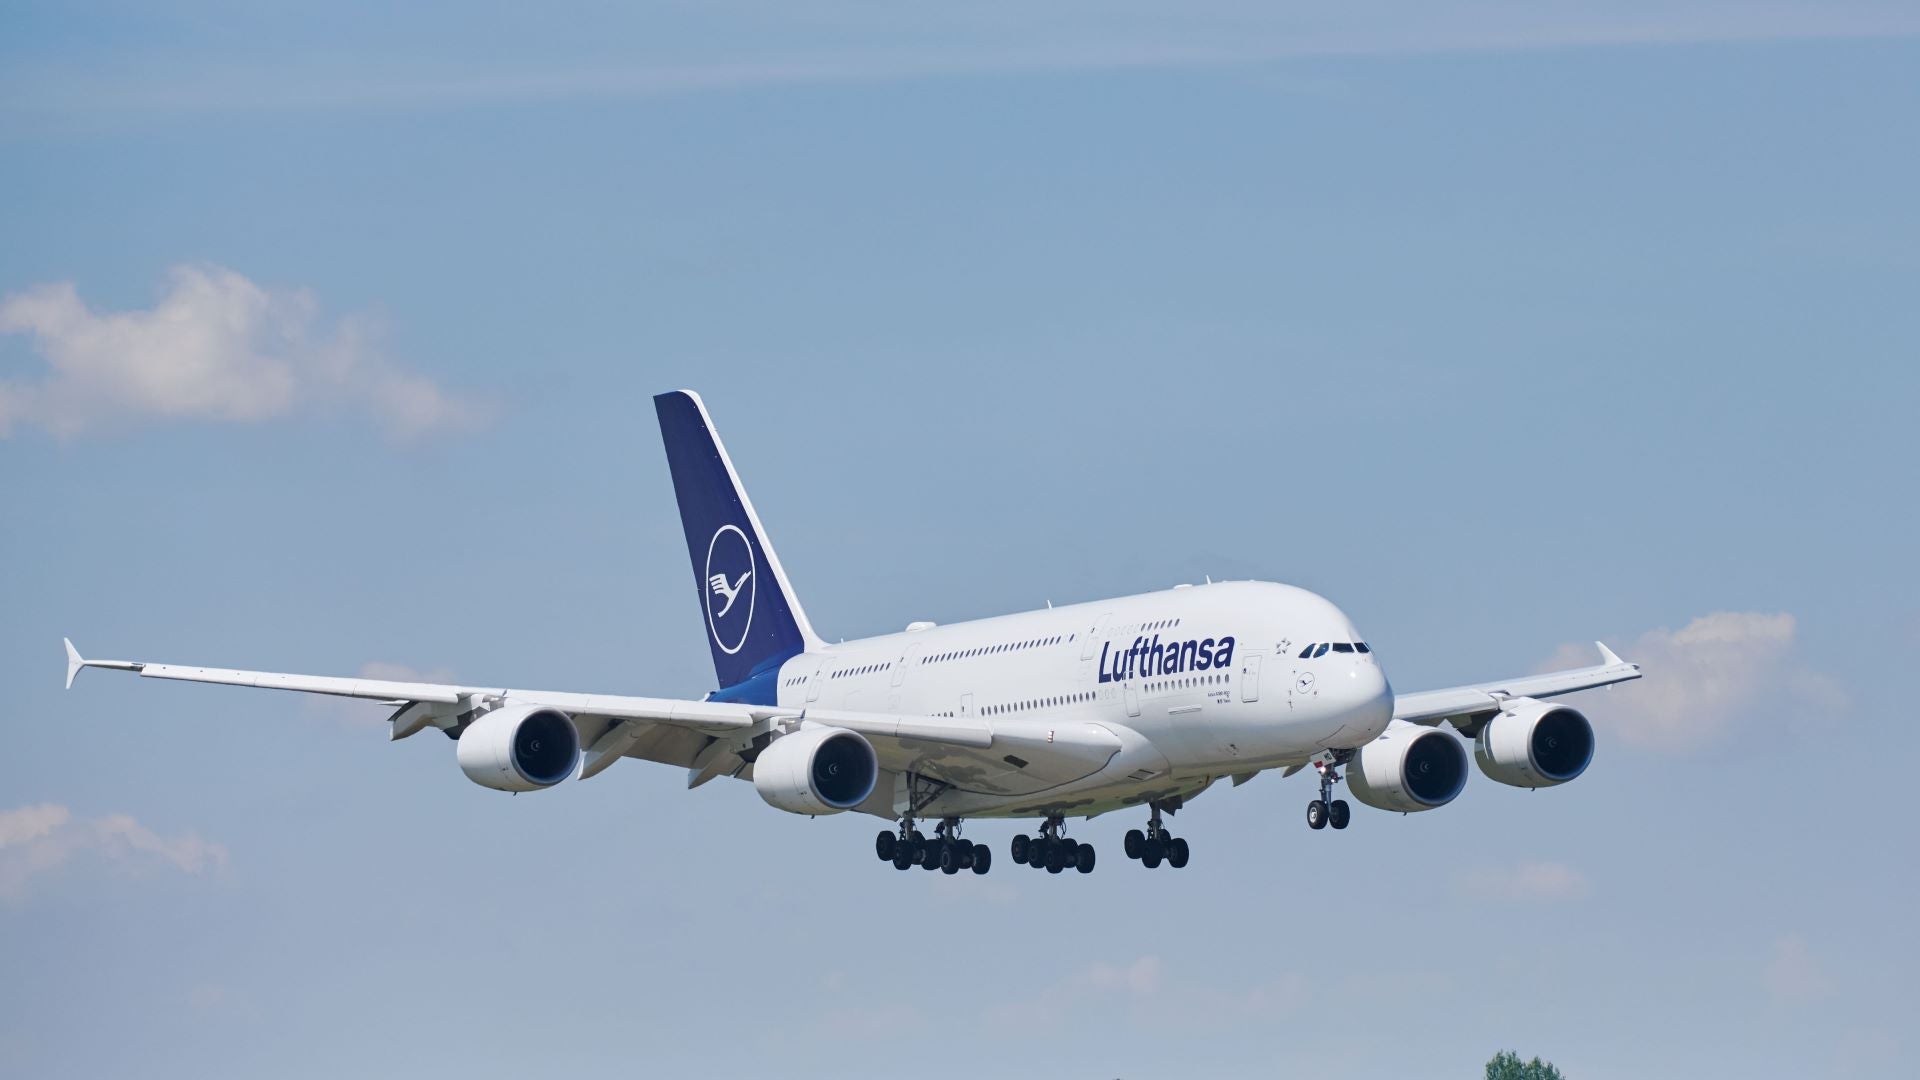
(704, 737)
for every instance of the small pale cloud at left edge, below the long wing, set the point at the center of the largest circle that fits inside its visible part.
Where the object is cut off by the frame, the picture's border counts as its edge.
(41, 839)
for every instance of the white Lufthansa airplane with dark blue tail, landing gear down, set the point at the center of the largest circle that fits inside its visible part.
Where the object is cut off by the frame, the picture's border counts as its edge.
(1061, 714)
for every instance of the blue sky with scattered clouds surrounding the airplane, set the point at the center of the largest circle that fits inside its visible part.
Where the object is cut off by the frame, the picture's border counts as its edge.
(327, 341)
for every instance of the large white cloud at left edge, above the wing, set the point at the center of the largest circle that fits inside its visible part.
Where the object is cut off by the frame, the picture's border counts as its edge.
(214, 349)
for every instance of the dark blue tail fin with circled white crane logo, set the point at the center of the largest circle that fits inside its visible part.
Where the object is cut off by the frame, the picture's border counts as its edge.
(754, 622)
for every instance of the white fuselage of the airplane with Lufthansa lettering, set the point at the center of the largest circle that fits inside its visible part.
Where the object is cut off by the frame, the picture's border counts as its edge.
(1211, 677)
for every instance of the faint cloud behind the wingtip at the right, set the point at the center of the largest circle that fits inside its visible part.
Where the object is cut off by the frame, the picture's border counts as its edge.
(1708, 677)
